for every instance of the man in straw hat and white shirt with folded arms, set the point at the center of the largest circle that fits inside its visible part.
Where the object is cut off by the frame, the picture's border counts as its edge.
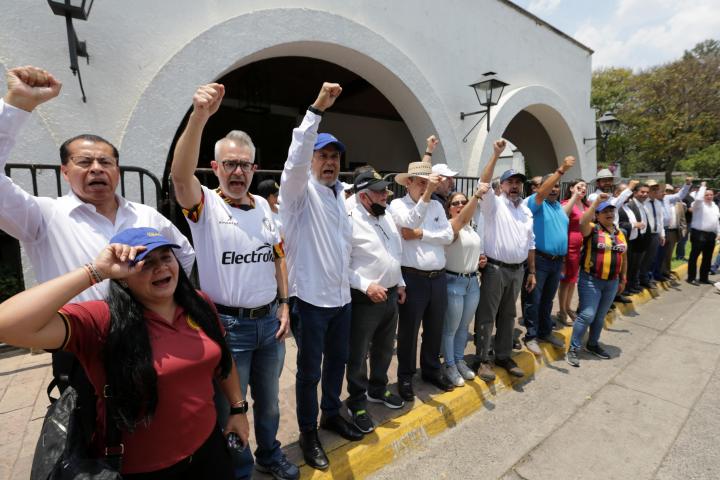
(425, 231)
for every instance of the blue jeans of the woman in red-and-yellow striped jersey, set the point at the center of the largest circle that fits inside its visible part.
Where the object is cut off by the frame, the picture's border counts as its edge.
(596, 296)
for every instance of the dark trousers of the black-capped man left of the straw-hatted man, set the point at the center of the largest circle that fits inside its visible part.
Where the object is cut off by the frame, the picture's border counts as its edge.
(372, 330)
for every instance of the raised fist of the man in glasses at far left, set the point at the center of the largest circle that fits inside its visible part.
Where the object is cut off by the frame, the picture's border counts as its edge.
(30, 86)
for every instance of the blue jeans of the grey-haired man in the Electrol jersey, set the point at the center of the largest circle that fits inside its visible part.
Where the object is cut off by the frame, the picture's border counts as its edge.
(259, 360)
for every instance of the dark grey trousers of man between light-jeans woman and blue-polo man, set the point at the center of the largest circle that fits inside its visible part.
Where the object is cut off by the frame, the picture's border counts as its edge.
(498, 295)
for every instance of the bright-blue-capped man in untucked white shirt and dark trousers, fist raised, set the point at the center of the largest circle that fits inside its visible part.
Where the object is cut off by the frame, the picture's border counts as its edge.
(318, 244)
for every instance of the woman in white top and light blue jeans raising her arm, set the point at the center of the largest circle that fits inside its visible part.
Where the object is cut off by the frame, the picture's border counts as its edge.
(463, 259)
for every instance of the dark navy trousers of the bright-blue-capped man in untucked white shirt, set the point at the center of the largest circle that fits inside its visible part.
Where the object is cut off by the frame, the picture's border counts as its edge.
(322, 335)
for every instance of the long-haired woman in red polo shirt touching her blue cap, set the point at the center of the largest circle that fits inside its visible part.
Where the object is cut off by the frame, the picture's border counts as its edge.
(154, 346)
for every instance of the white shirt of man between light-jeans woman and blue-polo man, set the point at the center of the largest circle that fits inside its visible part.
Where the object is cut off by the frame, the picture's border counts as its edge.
(508, 229)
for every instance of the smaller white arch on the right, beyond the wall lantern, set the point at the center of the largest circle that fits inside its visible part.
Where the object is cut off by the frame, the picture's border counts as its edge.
(554, 115)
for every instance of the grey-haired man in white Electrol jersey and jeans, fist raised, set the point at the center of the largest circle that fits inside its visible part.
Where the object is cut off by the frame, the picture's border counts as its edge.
(241, 266)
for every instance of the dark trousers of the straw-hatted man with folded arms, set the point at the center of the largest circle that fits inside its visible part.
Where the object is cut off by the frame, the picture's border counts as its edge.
(425, 304)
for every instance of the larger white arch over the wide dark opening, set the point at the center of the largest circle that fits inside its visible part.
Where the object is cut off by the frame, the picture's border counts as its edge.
(278, 32)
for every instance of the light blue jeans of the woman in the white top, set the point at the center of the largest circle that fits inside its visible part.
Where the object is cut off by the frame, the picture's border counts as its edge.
(463, 297)
